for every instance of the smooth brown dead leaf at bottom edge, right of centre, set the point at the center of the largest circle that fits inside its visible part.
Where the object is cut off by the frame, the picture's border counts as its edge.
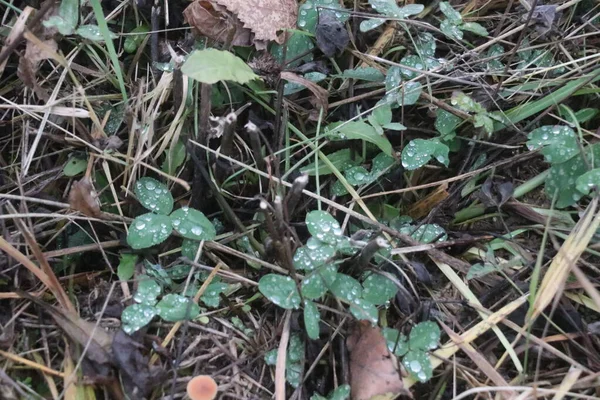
(373, 370)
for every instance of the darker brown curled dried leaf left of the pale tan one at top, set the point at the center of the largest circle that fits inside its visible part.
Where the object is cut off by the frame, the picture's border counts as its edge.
(213, 21)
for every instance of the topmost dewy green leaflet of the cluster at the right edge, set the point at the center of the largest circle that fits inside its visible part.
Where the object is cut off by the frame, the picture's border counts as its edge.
(558, 143)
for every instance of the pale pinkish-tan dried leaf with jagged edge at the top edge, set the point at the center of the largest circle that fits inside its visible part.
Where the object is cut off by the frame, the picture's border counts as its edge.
(264, 17)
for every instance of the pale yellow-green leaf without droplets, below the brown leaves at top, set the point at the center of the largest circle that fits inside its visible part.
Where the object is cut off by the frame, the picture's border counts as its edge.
(211, 66)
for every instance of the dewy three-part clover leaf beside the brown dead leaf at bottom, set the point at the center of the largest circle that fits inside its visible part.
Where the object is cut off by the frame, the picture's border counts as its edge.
(423, 337)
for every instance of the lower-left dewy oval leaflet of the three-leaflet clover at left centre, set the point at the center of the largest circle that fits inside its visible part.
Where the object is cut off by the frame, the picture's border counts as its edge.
(148, 230)
